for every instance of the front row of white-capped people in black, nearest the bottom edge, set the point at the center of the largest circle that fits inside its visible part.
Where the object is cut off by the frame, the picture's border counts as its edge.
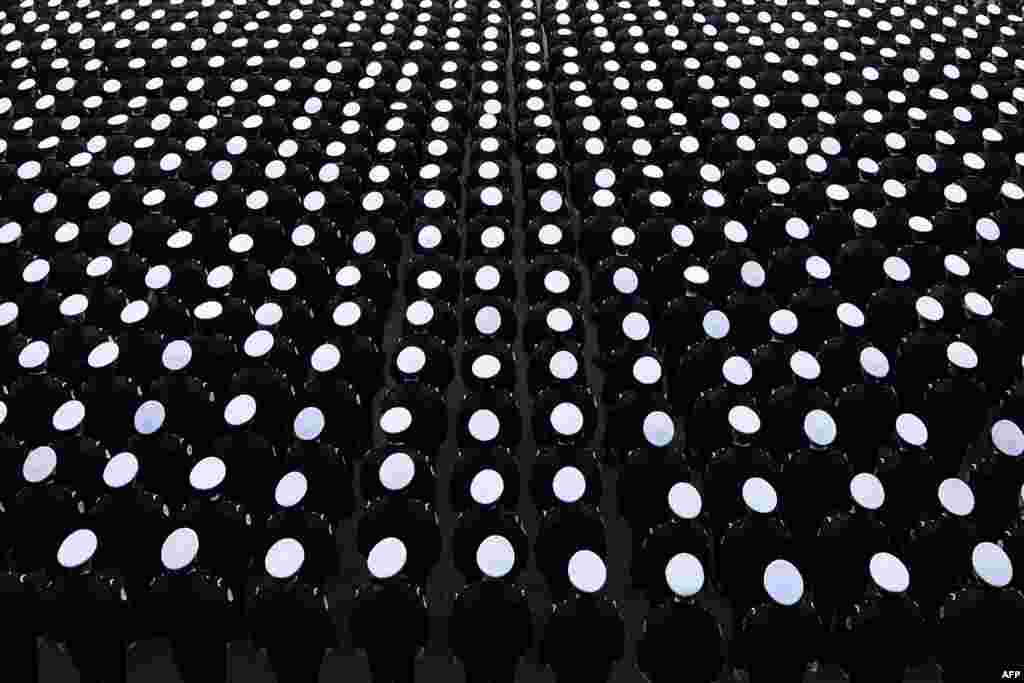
(491, 627)
